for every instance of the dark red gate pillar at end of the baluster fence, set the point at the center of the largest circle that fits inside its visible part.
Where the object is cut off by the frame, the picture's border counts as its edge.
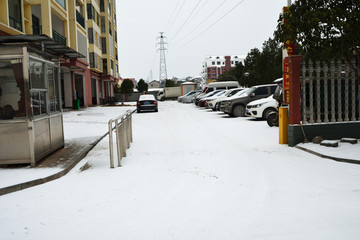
(295, 89)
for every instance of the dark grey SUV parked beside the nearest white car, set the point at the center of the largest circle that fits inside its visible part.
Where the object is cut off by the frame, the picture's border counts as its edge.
(236, 107)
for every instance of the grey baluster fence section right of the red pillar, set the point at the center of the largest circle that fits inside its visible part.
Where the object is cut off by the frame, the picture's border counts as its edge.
(330, 92)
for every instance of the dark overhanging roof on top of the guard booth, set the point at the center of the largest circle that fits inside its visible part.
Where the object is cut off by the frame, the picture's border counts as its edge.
(48, 43)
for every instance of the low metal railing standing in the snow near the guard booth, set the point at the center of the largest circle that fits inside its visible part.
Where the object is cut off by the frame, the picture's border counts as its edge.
(123, 136)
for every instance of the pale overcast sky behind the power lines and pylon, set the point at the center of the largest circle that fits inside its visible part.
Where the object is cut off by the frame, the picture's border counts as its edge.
(194, 29)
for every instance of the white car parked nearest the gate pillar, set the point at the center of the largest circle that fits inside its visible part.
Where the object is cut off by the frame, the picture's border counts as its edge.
(261, 108)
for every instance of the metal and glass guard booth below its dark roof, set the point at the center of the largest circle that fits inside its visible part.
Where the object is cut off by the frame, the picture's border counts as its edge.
(31, 121)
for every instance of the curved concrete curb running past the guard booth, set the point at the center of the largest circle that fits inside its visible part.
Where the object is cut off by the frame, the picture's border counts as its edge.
(73, 162)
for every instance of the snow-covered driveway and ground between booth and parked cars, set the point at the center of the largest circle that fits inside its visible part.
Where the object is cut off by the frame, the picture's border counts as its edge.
(190, 174)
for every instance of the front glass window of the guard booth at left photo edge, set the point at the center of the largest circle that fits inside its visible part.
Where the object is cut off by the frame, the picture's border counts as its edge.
(12, 95)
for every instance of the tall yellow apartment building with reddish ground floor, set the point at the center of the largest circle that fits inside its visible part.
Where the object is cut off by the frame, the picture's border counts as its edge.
(87, 26)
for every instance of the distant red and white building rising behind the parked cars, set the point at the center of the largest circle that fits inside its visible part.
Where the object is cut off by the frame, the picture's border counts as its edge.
(214, 66)
